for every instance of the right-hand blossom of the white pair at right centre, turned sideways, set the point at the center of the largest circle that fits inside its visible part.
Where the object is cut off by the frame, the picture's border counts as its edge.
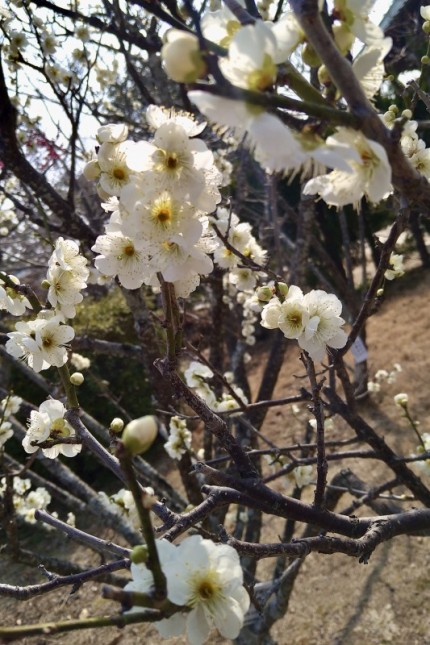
(324, 326)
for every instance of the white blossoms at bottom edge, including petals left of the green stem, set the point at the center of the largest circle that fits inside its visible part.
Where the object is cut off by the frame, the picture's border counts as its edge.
(203, 577)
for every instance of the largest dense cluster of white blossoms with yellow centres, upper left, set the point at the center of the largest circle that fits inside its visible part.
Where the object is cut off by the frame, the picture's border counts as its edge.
(159, 193)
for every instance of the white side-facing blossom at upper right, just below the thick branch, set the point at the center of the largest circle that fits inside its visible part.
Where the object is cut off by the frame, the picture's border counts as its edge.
(370, 176)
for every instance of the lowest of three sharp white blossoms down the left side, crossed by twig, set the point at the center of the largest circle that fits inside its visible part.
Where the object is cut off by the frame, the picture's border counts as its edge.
(48, 423)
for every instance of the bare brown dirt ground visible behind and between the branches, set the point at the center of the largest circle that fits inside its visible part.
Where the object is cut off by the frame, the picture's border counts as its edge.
(336, 600)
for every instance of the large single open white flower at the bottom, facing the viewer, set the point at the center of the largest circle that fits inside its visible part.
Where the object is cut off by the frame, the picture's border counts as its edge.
(208, 578)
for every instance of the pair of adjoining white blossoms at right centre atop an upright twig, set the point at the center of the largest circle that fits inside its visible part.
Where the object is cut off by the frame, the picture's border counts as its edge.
(312, 319)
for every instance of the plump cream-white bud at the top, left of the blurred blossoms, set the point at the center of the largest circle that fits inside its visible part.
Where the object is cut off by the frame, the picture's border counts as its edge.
(182, 58)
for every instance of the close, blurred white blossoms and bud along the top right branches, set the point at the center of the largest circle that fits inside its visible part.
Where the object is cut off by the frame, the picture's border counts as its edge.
(359, 166)
